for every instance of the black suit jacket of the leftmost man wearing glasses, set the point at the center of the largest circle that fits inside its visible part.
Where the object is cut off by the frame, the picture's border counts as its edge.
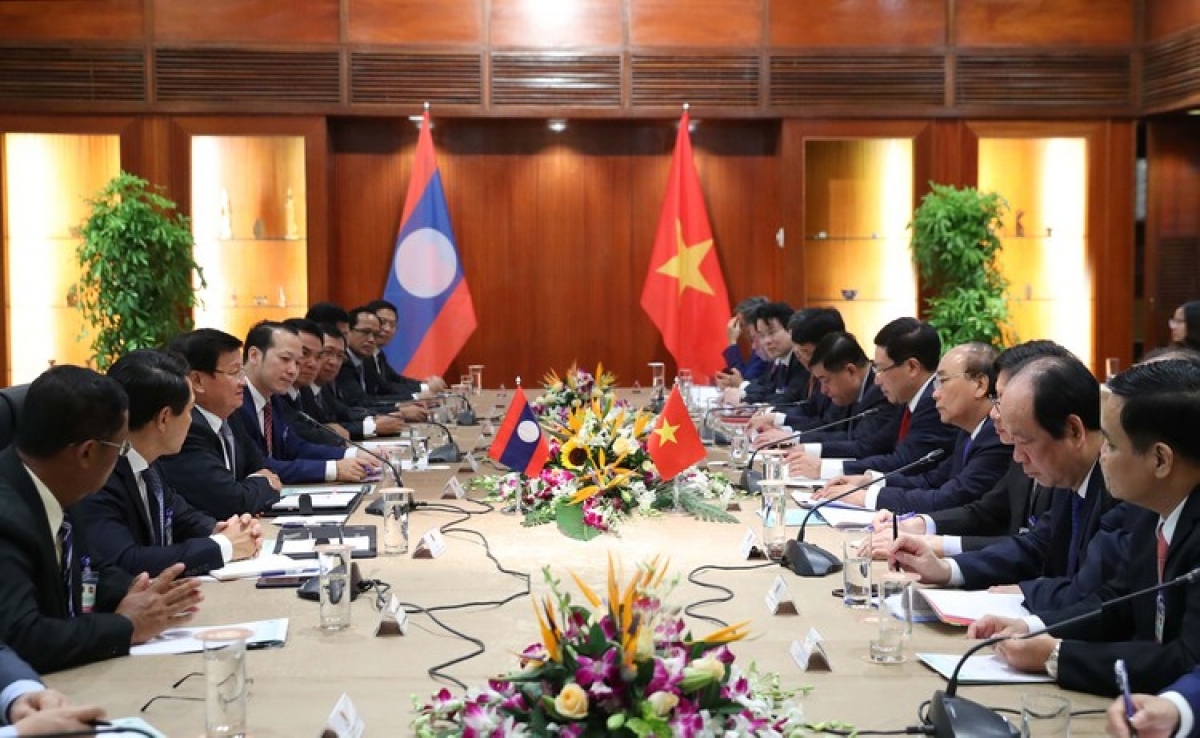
(34, 613)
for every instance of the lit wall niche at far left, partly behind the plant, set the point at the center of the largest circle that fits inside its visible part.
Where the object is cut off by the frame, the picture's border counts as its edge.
(47, 179)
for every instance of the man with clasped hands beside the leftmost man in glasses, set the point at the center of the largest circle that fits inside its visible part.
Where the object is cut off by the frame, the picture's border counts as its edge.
(137, 521)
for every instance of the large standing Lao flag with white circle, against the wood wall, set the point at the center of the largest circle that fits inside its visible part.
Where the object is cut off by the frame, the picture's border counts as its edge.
(427, 283)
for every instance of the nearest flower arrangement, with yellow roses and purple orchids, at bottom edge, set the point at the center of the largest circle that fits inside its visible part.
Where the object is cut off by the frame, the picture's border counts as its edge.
(626, 667)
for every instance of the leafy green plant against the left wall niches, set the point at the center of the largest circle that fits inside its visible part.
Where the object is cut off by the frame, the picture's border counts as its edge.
(136, 265)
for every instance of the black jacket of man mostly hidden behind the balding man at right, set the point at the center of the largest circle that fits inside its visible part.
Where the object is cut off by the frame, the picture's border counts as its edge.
(1010, 508)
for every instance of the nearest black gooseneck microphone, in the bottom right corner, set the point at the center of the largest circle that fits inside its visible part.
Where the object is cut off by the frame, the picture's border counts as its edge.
(950, 716)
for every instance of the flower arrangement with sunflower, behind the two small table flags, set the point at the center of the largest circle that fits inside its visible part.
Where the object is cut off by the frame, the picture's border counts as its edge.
(599, 473)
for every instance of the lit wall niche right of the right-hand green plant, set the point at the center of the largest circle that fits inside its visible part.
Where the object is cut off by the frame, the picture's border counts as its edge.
(1051, 290)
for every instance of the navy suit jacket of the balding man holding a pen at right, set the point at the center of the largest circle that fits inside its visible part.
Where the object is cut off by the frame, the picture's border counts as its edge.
(1043, 551)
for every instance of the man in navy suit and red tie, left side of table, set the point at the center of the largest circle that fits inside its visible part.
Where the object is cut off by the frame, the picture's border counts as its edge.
(272, 356)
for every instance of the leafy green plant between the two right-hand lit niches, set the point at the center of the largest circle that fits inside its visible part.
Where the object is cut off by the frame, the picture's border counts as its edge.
(955, 245)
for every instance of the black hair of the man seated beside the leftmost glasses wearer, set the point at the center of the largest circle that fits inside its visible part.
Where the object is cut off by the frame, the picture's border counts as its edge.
(153, 380)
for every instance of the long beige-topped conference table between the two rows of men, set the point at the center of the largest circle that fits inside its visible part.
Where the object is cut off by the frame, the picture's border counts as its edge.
(296, 686)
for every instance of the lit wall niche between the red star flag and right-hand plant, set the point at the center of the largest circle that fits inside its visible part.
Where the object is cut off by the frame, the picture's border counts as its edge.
(857, 207)
